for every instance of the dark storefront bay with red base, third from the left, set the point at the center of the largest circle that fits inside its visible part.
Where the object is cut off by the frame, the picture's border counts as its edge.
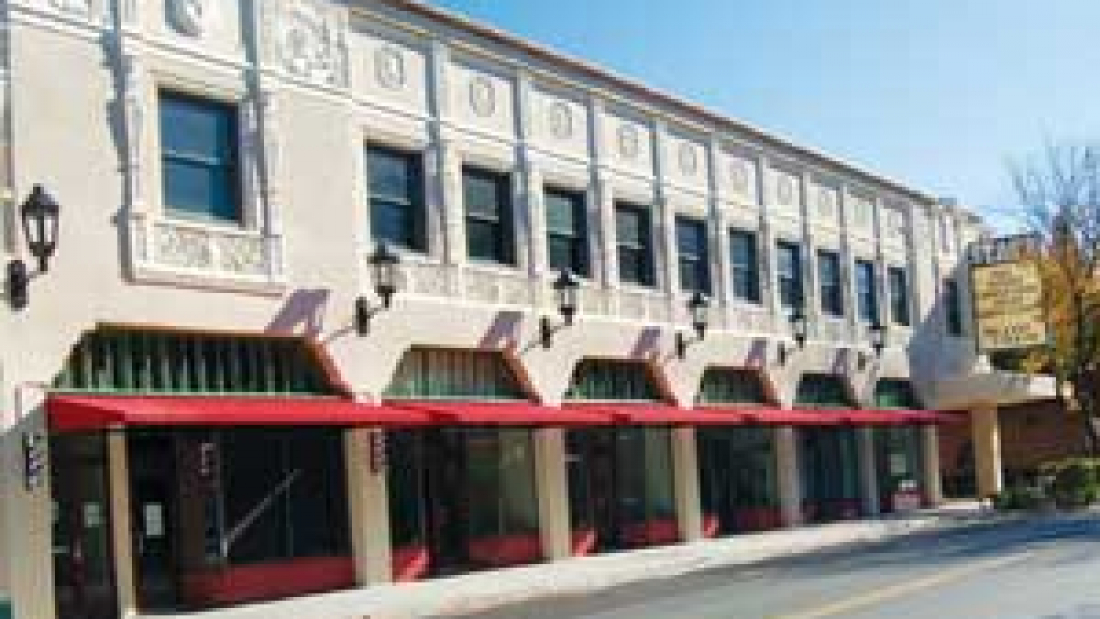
(621, 491)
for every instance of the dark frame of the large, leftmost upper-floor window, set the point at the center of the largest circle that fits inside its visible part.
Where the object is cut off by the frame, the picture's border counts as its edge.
(234, 169)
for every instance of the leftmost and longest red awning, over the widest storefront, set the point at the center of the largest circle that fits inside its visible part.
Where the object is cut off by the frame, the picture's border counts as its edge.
(72, 413)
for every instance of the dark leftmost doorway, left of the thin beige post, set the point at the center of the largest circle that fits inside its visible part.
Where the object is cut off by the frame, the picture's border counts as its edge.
(84, 576)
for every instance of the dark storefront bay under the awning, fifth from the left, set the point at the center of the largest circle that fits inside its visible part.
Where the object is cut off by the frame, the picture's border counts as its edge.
(830, 462)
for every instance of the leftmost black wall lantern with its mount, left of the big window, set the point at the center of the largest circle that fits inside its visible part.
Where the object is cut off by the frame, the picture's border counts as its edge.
(40, 215)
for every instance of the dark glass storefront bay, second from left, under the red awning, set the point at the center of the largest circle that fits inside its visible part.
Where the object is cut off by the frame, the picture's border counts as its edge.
(461, 500)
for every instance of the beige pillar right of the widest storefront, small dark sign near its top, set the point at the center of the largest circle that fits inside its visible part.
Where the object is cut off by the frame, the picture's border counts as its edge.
(368, 506)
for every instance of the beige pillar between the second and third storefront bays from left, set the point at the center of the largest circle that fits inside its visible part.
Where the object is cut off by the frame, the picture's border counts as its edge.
(553, 487)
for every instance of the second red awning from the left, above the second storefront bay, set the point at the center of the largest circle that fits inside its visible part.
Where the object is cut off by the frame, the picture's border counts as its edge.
(448, 413)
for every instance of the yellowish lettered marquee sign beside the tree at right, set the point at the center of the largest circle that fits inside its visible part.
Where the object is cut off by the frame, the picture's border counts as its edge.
(1008, 295)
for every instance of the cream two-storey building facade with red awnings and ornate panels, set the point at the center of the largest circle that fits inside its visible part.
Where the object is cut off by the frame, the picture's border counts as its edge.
(227, 410)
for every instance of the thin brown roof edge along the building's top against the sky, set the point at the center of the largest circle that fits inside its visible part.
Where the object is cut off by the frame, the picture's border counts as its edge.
(722, 120)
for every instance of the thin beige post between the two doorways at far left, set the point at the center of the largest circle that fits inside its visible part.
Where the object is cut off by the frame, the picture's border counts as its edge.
(118, 471)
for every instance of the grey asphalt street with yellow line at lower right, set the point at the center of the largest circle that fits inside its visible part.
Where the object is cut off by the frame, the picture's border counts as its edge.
(1038, 570)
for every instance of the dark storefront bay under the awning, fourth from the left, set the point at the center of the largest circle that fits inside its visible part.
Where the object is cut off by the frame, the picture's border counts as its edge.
(738, 480)
